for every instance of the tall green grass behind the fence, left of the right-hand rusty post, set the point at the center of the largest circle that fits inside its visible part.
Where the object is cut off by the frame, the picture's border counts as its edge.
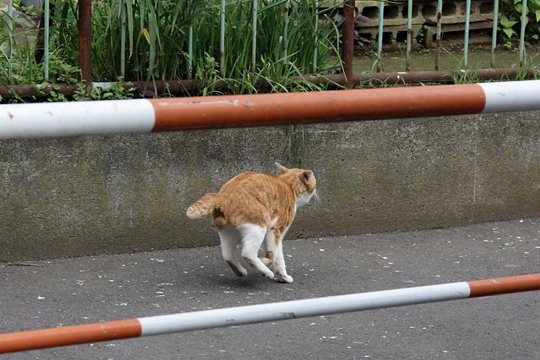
(155, 34)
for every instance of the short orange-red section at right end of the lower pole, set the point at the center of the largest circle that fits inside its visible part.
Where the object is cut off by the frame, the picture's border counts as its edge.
(504, 285)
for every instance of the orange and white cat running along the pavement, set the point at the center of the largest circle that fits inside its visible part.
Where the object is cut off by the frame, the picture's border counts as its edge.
(252, 209)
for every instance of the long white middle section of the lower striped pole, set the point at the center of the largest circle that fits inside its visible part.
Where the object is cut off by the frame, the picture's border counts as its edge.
(243, 315)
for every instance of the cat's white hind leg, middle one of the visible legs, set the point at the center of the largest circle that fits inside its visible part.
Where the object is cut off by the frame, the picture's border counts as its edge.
(252, 238)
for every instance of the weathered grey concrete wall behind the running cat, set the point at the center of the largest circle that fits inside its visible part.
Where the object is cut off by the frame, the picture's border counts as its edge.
(90, 195)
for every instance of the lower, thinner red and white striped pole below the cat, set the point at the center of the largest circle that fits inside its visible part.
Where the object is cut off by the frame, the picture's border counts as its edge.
(167, 324)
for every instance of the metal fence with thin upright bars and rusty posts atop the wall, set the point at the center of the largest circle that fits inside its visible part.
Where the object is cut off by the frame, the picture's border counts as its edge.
(349, 13)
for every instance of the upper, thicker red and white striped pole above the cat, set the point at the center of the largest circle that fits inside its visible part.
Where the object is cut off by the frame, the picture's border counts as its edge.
(147, 115)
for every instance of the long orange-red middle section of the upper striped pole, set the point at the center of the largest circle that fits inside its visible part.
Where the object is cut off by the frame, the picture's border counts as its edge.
(345, 105)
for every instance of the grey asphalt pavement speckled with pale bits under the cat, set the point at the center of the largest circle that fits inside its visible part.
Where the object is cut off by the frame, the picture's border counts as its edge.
(101, 288)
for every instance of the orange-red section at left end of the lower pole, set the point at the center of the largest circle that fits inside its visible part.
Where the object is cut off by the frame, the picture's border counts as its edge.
(69, 335)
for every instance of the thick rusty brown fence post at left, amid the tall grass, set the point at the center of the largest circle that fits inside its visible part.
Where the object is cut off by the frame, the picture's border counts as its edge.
(85, 41)
